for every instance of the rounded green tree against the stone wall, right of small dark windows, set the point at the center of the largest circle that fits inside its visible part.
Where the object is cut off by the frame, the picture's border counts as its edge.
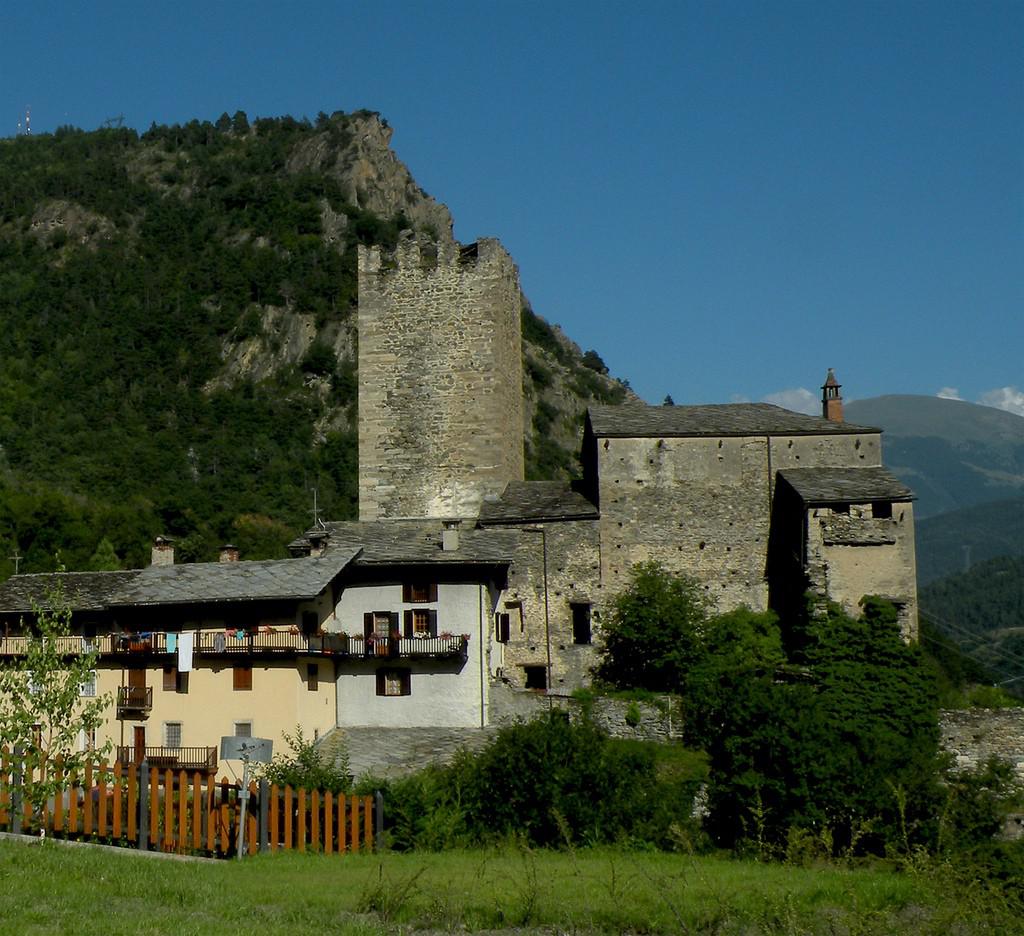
(654, 631)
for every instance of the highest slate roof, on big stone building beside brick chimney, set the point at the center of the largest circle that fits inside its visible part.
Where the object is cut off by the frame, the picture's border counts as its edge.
(637, 421)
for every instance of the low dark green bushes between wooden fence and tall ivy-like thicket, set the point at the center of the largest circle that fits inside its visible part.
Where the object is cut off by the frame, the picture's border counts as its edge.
(536, 782)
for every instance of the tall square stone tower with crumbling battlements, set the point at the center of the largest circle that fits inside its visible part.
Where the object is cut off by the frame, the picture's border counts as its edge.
(441, 378)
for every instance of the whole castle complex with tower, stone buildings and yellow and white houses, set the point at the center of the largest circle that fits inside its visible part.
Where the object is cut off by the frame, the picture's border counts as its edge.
(462, 582)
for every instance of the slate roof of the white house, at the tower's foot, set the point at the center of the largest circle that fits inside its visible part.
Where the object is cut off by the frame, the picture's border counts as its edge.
(415, 542)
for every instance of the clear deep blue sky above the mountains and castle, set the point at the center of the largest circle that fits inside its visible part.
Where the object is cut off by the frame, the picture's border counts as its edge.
(723, 199)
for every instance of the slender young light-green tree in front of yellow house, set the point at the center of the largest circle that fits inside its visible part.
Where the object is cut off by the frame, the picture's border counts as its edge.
(50, 702)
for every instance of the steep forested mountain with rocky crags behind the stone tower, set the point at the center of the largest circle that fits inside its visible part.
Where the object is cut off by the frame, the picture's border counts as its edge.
(178, 342)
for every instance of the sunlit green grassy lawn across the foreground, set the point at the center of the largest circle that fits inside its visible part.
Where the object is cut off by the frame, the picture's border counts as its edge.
(53, 889)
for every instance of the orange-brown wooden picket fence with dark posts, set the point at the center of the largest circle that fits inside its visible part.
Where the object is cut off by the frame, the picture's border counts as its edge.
(144, 807)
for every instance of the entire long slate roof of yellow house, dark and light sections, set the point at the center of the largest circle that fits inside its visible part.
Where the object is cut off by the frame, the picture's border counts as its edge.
(186, 584)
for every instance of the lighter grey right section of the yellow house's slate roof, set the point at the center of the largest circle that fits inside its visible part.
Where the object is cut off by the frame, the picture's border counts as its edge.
(268, 580)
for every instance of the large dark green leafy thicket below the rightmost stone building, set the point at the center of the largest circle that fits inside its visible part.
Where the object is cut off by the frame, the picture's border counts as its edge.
(847, 744)
